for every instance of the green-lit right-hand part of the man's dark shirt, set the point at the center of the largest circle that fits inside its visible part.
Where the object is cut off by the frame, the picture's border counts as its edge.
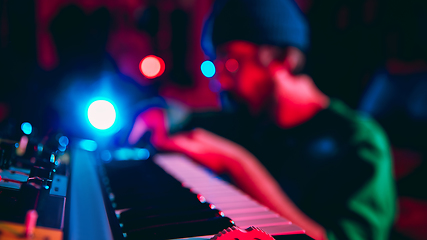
(369, 212)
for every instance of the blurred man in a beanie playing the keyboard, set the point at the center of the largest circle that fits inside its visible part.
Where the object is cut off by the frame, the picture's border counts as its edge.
(304, 155)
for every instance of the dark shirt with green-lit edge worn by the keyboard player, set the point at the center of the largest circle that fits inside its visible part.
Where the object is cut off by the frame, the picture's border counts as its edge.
(336, 167)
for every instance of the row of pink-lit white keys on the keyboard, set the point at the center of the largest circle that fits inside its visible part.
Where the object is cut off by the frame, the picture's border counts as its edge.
(235, 204)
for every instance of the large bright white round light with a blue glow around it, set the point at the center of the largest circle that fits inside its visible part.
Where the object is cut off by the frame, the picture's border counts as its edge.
(101, 114)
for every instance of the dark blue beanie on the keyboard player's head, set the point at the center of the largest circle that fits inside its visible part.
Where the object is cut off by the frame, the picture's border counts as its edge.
(274, 22)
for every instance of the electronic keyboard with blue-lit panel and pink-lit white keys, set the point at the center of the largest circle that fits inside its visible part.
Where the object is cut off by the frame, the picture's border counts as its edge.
(166, 196)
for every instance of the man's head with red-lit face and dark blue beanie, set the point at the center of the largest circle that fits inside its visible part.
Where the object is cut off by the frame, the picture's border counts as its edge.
(246, 36)
